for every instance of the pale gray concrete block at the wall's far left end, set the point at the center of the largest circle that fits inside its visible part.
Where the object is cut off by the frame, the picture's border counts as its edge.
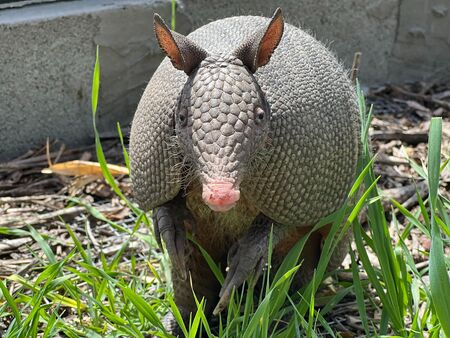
(44, 90)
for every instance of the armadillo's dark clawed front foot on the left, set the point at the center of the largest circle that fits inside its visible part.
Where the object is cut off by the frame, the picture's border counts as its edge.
(168, 224)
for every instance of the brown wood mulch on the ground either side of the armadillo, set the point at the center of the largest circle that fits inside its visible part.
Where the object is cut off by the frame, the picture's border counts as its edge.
(402, 115)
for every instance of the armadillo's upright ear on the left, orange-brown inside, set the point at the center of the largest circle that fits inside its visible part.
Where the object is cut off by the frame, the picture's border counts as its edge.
(184, 53)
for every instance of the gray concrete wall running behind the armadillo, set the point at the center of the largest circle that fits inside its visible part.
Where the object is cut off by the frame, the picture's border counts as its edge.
(47, 53)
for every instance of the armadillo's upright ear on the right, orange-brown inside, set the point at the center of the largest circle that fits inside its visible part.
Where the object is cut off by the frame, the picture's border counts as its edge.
(258, 48)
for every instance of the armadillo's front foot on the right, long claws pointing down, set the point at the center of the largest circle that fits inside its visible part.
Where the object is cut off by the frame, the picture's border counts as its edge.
(246, 257)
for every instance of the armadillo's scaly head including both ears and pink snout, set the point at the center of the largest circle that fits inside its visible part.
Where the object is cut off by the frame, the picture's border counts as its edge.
(222, 118)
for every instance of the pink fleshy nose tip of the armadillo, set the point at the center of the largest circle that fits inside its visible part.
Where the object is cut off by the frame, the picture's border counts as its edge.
(220, 196)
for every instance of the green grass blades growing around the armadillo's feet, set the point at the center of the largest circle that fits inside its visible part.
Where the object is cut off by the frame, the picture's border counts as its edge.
(106, 298)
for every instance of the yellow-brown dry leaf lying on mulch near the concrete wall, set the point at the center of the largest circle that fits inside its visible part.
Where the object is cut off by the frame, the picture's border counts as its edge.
(80, 168)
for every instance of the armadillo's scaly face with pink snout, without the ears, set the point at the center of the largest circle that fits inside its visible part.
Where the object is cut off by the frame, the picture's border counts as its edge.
(221, 121)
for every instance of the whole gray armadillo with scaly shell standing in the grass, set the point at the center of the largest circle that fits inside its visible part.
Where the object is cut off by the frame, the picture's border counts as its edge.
(248, 129)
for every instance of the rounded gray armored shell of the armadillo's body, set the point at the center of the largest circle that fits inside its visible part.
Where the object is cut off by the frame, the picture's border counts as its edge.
(314, 127)
